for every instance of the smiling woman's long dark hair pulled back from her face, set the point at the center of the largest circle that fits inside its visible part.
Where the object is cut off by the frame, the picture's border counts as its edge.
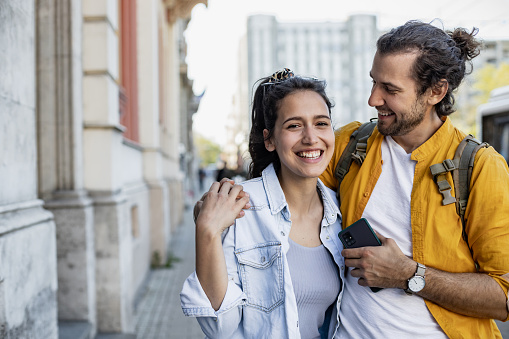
(266, 103)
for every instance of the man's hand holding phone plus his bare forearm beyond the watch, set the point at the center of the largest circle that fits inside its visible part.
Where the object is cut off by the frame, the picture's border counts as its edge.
(470, 294)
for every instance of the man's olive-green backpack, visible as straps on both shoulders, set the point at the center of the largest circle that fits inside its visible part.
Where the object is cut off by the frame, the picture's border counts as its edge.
(461, 167)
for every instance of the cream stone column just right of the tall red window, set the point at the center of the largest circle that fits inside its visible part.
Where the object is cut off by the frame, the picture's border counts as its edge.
(150, 49)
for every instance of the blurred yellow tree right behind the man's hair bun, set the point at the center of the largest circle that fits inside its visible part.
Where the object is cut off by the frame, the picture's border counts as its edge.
(483, 81)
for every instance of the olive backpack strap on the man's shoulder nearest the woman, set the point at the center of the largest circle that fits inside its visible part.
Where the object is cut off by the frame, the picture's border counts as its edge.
(355, 151)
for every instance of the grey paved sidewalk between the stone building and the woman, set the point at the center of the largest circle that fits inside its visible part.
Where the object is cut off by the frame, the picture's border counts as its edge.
(158, 315)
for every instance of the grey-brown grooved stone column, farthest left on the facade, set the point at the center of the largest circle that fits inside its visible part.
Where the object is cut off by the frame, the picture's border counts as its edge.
(60, 141)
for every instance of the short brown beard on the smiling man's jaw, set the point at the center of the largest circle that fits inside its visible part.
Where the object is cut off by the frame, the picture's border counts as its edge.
(402, 124)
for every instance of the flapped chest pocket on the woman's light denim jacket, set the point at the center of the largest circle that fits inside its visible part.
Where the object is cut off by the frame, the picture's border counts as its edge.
(261, 271)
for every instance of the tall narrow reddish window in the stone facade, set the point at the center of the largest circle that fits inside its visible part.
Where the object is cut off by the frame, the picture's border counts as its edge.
(128, 94)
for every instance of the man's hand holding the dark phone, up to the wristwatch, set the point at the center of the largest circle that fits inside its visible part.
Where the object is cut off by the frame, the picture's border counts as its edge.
(380, 266)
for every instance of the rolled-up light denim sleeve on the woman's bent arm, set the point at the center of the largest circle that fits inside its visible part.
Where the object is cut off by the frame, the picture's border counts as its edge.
(195, 303)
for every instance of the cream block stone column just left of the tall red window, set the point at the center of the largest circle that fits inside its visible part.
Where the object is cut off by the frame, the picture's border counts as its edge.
(104, 167)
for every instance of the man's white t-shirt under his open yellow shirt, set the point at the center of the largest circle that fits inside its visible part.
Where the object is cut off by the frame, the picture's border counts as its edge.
(389, 313)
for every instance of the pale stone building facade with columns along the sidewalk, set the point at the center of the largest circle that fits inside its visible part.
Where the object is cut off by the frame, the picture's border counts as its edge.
(92, 95)
